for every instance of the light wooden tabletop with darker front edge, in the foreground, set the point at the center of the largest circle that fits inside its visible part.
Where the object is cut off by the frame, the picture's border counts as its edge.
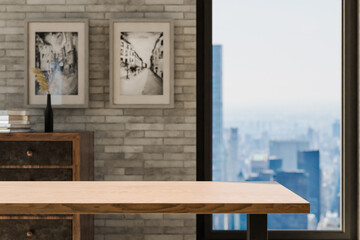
(148, 197)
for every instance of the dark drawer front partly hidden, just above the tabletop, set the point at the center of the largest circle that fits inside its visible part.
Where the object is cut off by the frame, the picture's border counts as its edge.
(37, 174)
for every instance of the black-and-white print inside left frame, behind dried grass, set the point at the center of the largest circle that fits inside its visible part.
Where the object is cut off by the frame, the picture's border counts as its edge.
(56, 55)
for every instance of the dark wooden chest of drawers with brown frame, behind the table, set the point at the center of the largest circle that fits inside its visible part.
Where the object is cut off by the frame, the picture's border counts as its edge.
(47, 157)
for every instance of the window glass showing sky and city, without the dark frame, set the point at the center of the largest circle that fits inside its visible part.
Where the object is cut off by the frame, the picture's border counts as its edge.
(277, 104)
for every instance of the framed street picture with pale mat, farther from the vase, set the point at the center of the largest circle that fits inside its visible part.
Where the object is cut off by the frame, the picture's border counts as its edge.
(141, 63)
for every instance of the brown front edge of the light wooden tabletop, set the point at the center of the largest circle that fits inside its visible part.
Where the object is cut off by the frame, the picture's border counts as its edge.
(41, 208)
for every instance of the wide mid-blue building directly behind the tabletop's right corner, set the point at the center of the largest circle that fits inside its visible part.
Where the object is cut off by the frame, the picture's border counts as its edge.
(296, 181)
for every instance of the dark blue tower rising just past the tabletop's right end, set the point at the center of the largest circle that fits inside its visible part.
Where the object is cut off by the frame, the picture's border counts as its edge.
(309, 162)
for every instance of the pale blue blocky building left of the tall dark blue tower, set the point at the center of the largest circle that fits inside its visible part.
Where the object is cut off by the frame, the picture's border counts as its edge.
(287, 151)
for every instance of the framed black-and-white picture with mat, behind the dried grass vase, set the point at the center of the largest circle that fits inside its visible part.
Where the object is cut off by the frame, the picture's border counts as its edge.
(57, 49)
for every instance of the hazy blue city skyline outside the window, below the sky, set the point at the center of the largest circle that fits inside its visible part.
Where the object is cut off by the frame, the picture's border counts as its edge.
(303, 153)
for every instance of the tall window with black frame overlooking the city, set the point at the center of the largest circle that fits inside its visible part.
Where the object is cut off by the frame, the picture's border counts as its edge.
(277, 101)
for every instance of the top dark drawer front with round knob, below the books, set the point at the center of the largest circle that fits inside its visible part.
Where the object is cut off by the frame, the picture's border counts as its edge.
(35, 153)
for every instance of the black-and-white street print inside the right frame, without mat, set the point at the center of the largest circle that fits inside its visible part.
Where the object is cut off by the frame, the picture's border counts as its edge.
(141, 63)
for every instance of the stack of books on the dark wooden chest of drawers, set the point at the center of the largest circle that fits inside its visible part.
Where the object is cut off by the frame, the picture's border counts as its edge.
(14, 121)
